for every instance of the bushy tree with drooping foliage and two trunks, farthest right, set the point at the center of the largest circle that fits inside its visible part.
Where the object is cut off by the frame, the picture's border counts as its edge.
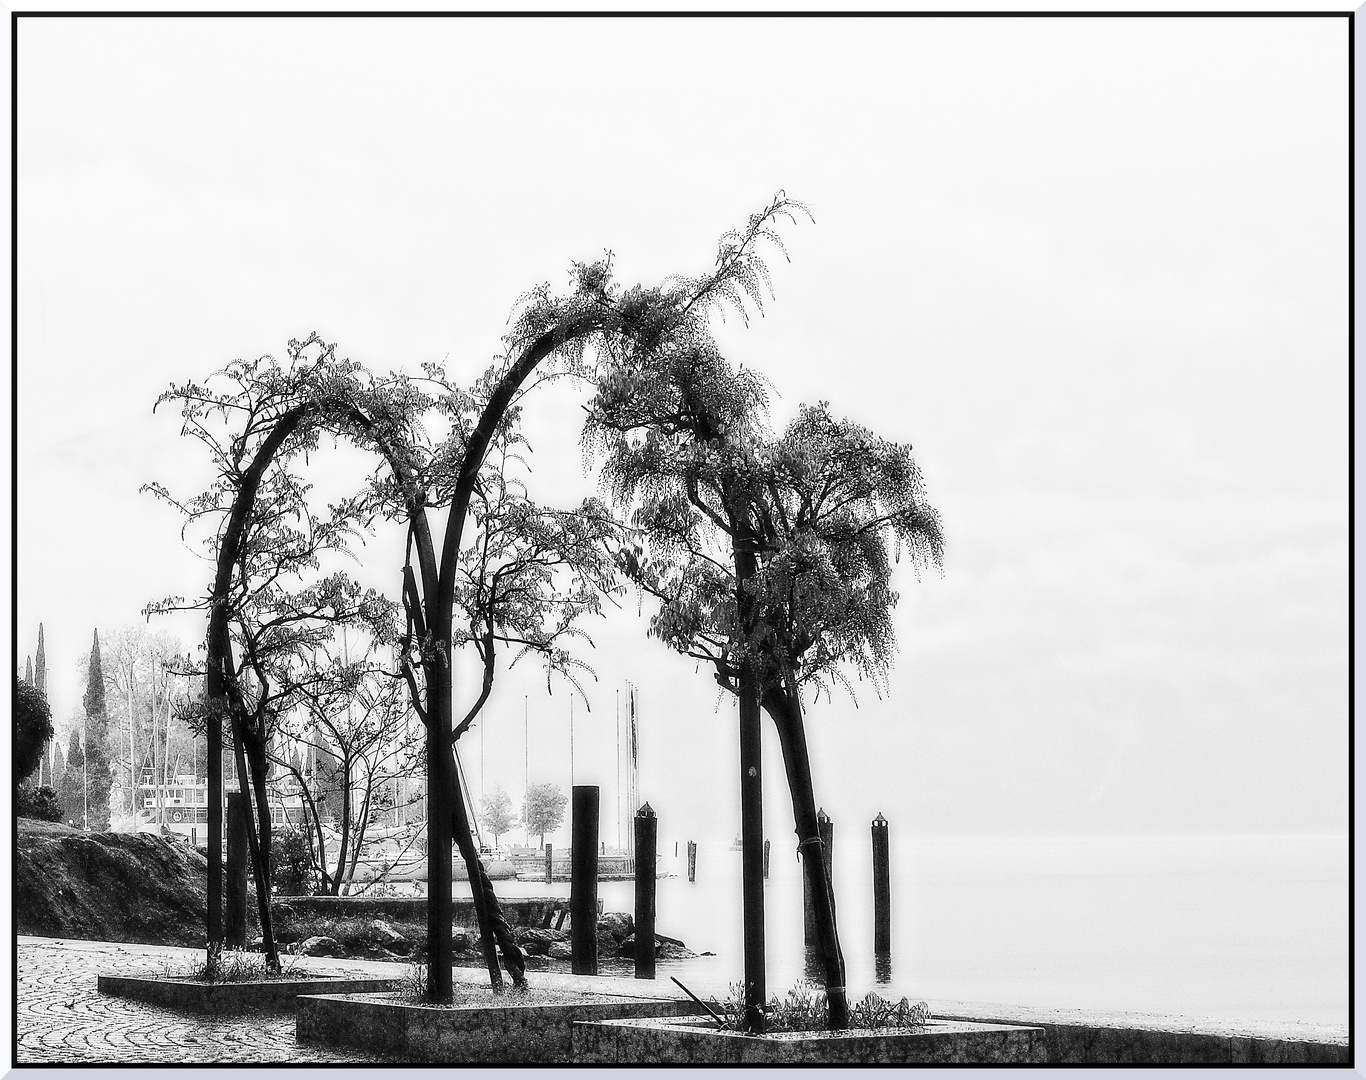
(768, 558)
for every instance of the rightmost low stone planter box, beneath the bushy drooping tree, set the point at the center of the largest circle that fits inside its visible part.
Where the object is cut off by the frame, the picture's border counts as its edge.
(699, 1042)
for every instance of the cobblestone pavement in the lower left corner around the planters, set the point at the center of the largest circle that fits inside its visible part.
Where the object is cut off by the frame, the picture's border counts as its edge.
(64, 1019)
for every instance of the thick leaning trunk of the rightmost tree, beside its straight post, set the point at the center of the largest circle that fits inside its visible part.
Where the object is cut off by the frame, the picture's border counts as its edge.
(786, 712)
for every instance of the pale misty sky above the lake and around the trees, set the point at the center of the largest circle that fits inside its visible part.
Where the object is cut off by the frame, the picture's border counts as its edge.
(1095, 271)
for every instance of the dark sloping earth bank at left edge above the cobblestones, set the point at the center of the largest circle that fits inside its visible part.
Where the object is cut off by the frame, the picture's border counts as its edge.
(109, 887)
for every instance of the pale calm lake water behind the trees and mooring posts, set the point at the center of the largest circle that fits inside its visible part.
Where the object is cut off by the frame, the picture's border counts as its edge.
(1240, 928)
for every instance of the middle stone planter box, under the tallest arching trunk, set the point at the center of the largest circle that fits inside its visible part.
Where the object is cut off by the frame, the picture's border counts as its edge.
(466, 1034)
